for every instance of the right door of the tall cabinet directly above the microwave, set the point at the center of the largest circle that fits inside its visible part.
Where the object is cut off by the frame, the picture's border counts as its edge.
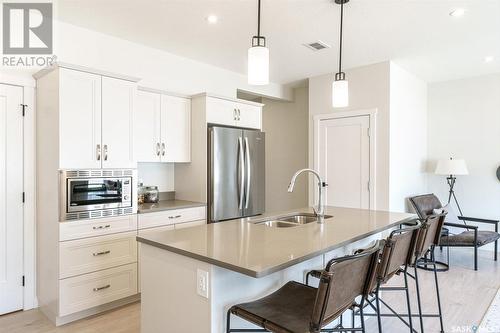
(118, 99)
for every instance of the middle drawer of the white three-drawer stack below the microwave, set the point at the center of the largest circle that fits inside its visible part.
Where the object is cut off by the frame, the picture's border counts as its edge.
(92, 254)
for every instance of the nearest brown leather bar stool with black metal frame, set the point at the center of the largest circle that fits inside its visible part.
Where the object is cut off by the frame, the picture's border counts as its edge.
(298, 308)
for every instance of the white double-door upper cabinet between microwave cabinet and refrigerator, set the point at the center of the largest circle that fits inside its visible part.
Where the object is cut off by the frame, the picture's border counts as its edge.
(162, 128)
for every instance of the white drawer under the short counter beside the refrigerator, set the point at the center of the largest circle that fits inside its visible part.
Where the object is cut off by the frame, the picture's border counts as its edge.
(169, 217)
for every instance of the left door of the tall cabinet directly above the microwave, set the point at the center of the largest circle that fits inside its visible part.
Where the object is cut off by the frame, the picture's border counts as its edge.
(79, 120)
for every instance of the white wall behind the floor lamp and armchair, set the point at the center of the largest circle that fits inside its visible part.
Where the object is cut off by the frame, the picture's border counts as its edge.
(464, 122)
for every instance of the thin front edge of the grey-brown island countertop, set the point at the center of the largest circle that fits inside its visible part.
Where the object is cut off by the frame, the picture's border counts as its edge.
(274, 269)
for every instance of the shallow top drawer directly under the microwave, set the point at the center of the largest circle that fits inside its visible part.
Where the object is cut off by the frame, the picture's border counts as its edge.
(97, 227)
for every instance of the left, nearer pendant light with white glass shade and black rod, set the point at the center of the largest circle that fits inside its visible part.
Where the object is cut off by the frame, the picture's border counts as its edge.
(258, 58)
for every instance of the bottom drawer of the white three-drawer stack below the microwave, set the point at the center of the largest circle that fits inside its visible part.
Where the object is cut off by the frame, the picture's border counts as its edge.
(90, 290)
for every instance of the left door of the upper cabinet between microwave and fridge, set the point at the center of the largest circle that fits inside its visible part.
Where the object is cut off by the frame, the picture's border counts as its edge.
(147, 127)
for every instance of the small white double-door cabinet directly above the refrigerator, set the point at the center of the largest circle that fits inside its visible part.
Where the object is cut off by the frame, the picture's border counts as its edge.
(231, 113)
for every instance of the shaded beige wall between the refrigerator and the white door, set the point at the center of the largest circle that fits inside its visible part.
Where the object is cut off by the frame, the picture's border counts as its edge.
(286, 130)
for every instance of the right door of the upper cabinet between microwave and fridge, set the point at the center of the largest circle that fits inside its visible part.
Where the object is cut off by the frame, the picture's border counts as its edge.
(176, 129)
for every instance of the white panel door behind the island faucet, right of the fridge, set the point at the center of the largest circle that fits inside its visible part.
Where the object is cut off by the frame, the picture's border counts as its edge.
(344, 160)
